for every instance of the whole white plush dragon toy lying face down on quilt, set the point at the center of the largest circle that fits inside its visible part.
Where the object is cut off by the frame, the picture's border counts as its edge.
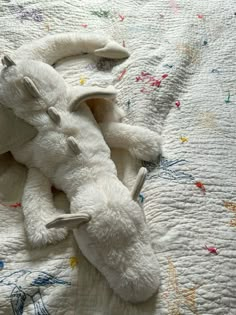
(71, 151)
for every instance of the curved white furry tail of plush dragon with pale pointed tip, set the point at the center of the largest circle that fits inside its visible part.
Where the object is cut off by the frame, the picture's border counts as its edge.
(52, 48)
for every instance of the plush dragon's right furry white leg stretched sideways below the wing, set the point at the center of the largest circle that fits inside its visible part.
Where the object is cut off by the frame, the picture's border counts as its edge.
(141, 142)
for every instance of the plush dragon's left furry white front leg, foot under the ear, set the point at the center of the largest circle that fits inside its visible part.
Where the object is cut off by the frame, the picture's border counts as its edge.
(38, 209)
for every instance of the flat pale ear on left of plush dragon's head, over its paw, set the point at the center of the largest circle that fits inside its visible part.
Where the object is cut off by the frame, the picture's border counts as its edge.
(70, 221)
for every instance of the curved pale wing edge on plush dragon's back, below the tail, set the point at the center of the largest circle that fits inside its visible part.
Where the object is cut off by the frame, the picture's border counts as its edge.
(81, 94)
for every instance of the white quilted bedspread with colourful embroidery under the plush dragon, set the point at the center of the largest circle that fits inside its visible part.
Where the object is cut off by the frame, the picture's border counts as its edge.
(179, 81)
